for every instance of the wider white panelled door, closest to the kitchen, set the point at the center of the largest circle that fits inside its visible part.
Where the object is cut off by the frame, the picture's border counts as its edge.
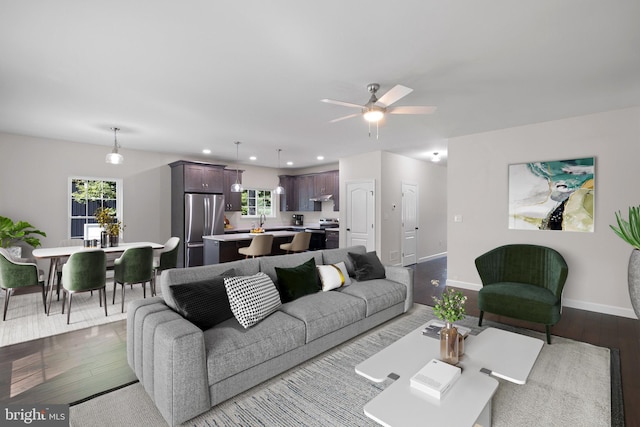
(360, 214)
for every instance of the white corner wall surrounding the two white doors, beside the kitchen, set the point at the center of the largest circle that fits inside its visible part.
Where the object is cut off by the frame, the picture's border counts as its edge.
(389, 171)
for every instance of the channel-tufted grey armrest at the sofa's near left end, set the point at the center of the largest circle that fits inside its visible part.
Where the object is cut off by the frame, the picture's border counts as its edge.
(167, 354)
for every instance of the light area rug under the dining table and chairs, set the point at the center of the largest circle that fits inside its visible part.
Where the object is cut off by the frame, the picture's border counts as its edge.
(27, 321)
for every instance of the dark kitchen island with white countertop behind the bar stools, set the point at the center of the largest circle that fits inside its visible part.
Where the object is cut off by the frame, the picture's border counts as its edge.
(224, 247)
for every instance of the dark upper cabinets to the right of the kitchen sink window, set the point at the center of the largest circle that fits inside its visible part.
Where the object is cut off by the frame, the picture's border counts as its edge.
(300, 189)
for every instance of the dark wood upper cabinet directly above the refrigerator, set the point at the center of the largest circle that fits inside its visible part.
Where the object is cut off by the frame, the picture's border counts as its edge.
(193, 177)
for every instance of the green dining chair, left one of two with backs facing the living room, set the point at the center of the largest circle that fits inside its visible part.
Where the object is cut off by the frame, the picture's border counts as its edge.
(83, 272)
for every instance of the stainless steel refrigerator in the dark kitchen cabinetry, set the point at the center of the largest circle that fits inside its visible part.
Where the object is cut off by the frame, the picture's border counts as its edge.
(203, 216)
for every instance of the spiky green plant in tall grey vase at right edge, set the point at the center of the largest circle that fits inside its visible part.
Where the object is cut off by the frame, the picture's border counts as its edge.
(629, 231)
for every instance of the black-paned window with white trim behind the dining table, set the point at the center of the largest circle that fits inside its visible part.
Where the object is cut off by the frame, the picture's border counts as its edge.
(88, 194)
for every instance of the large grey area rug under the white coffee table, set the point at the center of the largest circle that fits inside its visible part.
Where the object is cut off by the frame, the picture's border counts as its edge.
(570, 384)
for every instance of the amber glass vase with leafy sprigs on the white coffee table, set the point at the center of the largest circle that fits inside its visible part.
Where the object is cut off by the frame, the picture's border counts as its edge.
(450, 309)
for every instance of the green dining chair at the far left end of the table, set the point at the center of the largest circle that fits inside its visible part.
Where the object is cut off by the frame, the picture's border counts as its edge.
(15, 274)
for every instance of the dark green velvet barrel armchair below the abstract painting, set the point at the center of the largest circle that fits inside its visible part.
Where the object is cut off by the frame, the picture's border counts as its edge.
(523, 282)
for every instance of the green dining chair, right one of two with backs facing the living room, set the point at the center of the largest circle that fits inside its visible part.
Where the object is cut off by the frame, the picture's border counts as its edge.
(134, 266)
